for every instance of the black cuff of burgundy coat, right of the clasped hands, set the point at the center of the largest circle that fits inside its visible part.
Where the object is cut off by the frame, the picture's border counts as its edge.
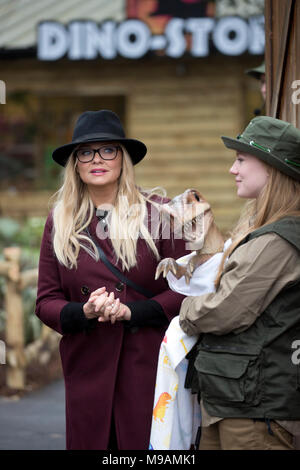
(146, 313)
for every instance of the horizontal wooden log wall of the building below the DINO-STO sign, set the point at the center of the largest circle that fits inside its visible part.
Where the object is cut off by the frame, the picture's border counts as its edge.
(179, 109)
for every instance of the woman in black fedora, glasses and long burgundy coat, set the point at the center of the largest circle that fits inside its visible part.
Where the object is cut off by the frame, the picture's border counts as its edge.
(96, 286)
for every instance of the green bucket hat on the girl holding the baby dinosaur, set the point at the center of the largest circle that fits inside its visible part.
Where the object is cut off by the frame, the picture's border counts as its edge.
(275, 142)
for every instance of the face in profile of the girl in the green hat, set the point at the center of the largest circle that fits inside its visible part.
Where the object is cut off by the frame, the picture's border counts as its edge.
(251, 175)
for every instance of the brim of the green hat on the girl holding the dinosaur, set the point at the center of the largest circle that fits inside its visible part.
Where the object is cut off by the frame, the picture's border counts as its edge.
(267, 157)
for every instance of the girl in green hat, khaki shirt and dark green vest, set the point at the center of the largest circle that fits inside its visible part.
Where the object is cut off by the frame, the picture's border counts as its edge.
(247, 357)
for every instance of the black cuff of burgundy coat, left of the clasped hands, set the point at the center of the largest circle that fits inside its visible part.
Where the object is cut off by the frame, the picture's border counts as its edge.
(73, 319)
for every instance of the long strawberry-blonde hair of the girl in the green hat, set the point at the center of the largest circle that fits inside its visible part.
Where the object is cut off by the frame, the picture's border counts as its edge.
(279, 198)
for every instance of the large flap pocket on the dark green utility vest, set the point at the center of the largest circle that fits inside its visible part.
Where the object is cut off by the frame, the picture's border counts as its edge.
(229, 378)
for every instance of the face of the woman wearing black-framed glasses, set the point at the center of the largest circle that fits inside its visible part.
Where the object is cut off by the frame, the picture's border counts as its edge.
(100, 168)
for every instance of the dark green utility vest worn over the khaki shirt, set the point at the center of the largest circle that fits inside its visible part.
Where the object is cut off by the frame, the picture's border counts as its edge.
(251, 374)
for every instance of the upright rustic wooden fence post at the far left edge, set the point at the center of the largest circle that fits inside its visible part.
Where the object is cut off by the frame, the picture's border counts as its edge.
(15, 371)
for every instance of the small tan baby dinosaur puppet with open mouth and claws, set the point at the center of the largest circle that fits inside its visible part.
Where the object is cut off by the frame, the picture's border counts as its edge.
(190, 214)
